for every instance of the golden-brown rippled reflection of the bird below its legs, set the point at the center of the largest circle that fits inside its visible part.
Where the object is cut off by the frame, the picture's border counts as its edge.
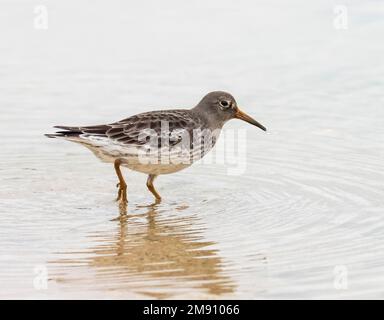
(160, 253)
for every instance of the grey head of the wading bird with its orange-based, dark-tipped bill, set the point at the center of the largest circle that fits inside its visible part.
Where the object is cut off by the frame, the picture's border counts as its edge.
(221, 106)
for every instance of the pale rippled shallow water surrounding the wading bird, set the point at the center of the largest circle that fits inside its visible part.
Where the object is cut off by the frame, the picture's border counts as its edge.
(305, 218)
